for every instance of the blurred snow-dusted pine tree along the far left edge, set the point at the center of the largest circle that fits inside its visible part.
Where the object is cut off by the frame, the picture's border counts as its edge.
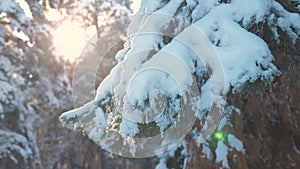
(32, 83)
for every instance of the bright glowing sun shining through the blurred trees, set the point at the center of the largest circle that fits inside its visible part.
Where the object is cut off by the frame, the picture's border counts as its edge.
(69, 40)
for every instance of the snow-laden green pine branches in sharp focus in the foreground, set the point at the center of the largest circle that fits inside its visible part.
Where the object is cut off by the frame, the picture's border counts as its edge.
(163, 36)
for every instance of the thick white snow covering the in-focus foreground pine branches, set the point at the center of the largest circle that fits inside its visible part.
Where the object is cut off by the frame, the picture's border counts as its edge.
(216, 38)
